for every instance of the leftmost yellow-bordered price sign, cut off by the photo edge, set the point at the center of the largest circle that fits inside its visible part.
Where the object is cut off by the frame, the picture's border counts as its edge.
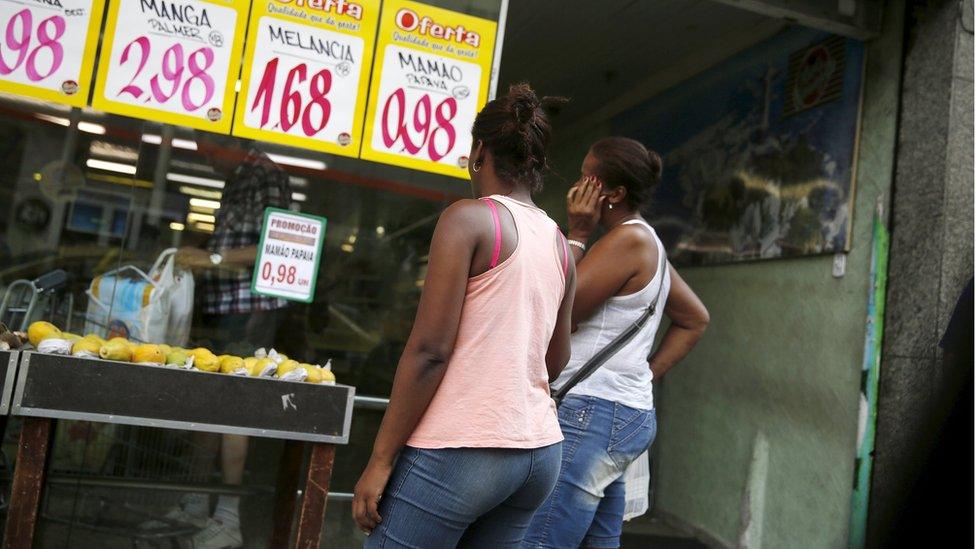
(47, 49)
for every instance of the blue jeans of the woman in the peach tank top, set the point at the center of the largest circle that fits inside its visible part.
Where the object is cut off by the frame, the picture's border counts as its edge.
(468, 497)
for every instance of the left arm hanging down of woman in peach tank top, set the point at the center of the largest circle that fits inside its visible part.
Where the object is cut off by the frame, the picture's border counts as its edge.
(426, 353)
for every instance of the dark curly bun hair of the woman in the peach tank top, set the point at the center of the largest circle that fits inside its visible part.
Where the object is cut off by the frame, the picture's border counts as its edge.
(515, 128)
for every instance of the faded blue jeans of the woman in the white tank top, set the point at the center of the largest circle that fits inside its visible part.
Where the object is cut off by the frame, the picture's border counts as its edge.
(587, 506)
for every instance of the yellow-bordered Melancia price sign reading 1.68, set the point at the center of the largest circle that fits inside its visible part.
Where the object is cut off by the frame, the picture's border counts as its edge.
(306, 72)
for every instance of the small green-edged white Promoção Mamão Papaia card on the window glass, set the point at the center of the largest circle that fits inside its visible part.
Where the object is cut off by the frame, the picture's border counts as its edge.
(289, 255)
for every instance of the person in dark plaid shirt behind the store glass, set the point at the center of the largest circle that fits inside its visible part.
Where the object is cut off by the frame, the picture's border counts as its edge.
(240, 321)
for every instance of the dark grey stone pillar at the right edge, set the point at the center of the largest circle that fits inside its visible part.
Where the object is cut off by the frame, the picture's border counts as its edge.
(931, 249)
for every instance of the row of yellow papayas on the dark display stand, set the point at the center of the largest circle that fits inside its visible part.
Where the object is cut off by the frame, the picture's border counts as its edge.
(48, 338)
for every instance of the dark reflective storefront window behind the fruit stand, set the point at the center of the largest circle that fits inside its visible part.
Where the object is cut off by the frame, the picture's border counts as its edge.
(97, 198)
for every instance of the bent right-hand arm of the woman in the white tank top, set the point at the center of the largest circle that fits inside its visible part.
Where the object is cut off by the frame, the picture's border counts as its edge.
(689, 318)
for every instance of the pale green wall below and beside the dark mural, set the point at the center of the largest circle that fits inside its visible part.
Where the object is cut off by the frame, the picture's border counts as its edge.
(769, 400)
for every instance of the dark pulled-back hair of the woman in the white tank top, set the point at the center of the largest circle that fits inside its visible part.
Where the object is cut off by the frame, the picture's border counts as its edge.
(624, 162)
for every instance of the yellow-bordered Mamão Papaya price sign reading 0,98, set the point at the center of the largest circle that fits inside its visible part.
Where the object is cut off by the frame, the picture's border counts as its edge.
(430, 77)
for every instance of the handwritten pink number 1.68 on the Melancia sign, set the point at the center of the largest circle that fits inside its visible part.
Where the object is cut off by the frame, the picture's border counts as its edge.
(314, 115)
